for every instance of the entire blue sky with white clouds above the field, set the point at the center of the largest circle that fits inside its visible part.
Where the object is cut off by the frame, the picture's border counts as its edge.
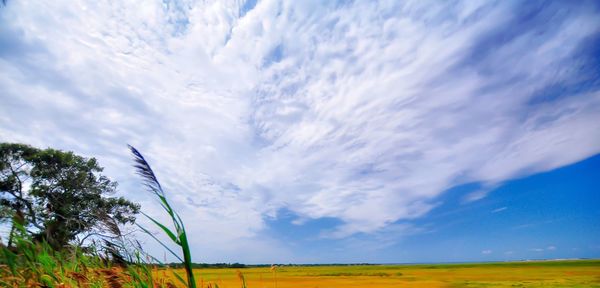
(327, 131)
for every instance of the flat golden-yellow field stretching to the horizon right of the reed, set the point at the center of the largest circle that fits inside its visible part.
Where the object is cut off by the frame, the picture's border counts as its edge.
(584, 273)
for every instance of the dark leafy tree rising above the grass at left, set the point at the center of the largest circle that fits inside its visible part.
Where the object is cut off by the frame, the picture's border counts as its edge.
(59, 196)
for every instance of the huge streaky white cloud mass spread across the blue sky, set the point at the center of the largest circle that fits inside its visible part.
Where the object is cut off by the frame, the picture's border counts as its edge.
(364, 112)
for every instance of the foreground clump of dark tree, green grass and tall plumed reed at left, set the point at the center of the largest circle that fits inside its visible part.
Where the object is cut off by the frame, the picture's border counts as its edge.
(68, 192)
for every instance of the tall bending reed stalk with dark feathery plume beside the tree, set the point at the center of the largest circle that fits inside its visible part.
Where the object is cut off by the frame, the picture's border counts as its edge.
(179, 236)
